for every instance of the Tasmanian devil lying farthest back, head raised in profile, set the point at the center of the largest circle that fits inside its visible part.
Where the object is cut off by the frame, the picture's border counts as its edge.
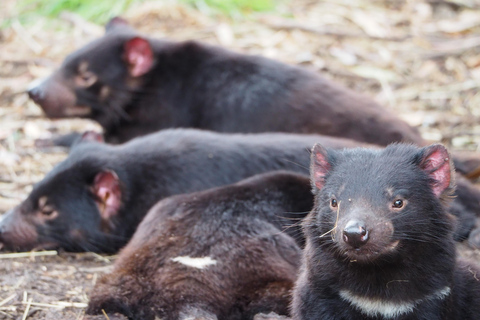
(133, 85)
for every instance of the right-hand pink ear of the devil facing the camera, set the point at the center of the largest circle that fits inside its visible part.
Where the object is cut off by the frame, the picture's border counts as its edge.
(436, 163)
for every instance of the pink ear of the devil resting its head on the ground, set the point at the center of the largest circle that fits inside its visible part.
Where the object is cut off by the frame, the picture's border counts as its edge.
(106, 187)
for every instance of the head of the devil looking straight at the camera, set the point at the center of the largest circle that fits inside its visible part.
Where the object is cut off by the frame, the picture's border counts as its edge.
(374, 203)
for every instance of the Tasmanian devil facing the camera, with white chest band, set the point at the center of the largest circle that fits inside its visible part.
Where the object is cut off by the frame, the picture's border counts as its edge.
(379, 241)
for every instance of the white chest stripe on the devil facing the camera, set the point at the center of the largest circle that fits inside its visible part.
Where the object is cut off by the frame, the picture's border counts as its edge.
(387, 309)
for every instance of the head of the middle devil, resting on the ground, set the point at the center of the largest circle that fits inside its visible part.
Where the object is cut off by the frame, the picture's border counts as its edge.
(75, 207)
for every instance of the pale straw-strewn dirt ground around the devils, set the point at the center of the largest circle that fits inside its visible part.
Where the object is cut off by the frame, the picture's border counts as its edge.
(419, 58)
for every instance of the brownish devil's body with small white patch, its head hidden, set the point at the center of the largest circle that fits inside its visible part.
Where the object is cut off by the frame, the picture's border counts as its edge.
(241, 231)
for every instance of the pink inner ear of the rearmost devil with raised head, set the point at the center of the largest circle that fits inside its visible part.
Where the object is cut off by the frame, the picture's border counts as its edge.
(139, 56)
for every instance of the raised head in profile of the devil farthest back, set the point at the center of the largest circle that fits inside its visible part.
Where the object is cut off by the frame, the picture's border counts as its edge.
(98, 80)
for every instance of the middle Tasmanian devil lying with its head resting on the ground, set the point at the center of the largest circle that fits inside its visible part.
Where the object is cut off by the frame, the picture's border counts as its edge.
(95, 199)
